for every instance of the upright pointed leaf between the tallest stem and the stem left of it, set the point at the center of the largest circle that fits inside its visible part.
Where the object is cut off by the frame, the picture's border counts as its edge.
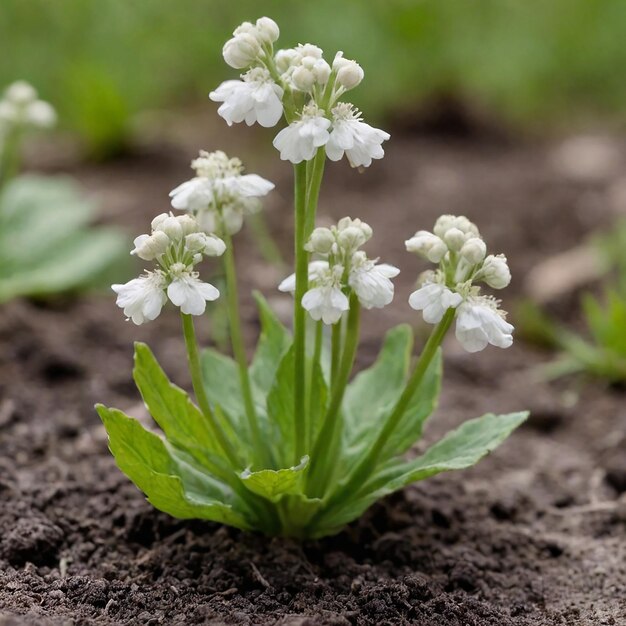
(273, 344)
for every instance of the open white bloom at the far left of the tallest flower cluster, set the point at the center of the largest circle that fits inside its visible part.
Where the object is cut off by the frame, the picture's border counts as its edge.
(256, 98)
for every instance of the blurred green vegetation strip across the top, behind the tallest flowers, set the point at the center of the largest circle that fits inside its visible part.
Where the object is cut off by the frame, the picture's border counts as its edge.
(527, 64)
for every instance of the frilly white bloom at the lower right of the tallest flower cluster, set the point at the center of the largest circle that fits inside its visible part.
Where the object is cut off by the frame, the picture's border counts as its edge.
(350, 135)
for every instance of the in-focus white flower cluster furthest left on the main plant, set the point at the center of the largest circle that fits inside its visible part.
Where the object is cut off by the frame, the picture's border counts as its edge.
(177, 244)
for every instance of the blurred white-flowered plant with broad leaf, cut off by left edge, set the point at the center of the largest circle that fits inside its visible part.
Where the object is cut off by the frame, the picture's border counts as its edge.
(45, 245)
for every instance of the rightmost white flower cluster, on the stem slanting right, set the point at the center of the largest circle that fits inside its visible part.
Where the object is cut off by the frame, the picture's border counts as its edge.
(461, 254)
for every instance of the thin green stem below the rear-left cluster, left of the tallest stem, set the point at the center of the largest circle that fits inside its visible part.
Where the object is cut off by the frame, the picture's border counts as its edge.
(239, 352)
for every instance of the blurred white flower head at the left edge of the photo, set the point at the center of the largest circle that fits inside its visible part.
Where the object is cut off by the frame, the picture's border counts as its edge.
(20, 106)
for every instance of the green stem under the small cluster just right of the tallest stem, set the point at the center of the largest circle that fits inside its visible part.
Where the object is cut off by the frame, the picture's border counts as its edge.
(322, 457)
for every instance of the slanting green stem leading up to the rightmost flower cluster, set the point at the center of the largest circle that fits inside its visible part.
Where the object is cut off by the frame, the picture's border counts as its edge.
(368, 464)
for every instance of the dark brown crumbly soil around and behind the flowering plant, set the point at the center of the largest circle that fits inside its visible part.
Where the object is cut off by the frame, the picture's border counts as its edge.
(534, 535)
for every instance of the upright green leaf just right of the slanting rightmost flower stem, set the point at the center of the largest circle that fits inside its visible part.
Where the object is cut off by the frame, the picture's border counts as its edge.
(422, 405)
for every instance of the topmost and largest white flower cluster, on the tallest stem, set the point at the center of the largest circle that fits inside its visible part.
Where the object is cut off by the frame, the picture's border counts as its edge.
(299, 83)
